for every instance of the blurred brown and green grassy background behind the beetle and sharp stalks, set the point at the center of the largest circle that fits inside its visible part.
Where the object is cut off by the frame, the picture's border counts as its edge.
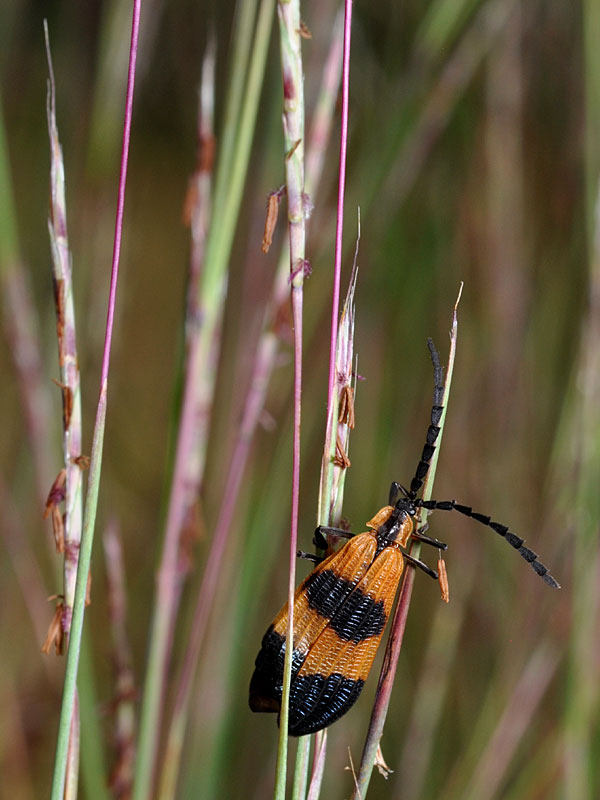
(474, 145)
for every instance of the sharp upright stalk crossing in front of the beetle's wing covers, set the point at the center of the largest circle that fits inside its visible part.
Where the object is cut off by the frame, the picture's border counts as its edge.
(293, 129)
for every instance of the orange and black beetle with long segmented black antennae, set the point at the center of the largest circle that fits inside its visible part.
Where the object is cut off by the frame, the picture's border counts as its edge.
(342, 606)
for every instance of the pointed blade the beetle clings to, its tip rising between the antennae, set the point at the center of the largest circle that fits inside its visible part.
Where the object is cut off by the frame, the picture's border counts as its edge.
(394, 645)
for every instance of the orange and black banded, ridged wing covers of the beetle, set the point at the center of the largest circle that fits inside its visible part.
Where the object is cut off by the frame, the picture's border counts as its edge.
(340, 611)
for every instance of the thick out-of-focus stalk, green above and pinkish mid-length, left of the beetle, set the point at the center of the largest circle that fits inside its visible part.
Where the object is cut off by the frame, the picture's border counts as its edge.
(196, 409)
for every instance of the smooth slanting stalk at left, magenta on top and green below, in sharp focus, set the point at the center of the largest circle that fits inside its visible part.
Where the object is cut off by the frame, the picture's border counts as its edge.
(85, 554)
